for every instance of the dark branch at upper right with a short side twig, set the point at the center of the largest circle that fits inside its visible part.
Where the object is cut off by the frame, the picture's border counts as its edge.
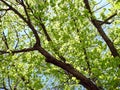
(100, 30)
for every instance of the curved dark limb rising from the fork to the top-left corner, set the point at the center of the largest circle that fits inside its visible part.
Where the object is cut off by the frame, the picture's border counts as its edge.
(25, 20)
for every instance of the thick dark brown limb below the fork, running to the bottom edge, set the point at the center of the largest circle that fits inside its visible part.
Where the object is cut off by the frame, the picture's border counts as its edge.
(87, 83)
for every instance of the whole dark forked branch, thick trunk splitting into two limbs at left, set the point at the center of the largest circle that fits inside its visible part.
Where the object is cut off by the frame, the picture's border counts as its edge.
(49, 58)
